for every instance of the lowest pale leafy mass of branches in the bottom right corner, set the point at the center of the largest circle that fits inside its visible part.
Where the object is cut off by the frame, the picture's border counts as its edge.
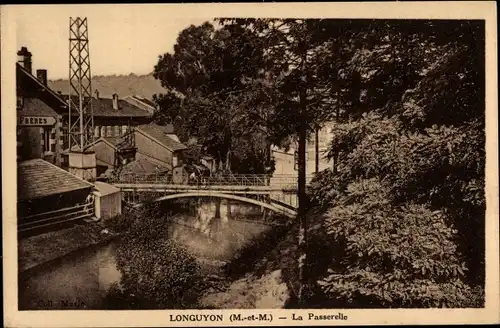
(397, 256)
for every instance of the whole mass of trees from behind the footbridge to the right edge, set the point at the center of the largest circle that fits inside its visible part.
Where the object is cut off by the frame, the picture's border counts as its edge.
(403, 207)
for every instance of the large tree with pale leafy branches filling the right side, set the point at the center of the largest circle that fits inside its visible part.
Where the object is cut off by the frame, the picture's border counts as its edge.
(407, 202)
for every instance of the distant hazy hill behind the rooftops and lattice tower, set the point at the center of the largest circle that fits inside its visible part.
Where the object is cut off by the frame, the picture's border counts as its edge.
(123, 85)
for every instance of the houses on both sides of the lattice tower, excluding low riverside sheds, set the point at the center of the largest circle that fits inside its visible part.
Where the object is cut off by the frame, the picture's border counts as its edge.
(43, 120)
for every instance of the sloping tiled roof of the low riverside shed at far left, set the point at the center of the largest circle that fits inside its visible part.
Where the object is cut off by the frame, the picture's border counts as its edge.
(37, 178)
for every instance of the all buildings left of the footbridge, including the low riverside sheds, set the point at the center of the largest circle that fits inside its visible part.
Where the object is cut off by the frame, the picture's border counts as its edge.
(125, 138)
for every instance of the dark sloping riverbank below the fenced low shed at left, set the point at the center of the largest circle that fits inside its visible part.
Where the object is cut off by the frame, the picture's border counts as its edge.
(39, 249)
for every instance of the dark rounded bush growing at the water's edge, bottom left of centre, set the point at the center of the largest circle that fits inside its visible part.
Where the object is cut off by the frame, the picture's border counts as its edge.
(156, 273)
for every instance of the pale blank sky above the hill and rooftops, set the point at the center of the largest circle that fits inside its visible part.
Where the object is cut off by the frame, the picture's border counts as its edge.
(122, 38)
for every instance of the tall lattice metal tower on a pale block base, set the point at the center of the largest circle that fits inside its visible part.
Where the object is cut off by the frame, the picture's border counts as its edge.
(81, 118)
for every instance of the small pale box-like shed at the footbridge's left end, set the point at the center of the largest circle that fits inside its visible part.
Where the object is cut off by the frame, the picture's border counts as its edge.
(108, 200)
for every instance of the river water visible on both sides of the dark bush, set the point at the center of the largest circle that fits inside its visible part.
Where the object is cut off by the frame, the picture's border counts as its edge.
(81, 280)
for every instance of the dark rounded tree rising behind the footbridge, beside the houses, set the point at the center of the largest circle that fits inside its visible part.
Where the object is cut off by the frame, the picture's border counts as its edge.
(208, 74)
